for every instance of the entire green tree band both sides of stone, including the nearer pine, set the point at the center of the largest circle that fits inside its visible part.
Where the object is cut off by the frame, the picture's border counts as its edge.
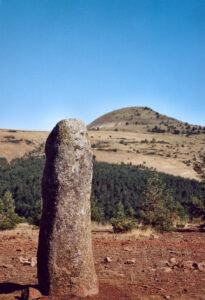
(150, 197)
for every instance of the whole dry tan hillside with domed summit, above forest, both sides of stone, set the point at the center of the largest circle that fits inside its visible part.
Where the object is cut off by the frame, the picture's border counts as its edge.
(136, 135)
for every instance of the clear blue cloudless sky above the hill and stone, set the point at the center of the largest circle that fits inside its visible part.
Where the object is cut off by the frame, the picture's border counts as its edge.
(83, 58)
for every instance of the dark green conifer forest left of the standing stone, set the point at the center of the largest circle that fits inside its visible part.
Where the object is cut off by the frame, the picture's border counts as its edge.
(23, 178)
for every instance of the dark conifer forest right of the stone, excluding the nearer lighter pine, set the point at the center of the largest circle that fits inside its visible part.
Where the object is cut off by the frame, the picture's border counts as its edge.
(125, 183)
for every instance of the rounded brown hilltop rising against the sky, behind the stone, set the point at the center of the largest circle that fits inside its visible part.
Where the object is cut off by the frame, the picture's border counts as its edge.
(144, 119)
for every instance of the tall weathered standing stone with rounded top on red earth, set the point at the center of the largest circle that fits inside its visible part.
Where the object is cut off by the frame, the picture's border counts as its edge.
(65, 258)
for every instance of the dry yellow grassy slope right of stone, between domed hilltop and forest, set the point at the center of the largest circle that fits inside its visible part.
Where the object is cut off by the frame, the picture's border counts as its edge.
(157, 155)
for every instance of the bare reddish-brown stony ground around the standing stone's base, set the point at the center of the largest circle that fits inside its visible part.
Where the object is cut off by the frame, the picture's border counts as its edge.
(163, 266)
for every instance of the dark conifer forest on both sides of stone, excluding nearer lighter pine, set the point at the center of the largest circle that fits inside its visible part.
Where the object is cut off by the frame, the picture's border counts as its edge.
(112, 184)
